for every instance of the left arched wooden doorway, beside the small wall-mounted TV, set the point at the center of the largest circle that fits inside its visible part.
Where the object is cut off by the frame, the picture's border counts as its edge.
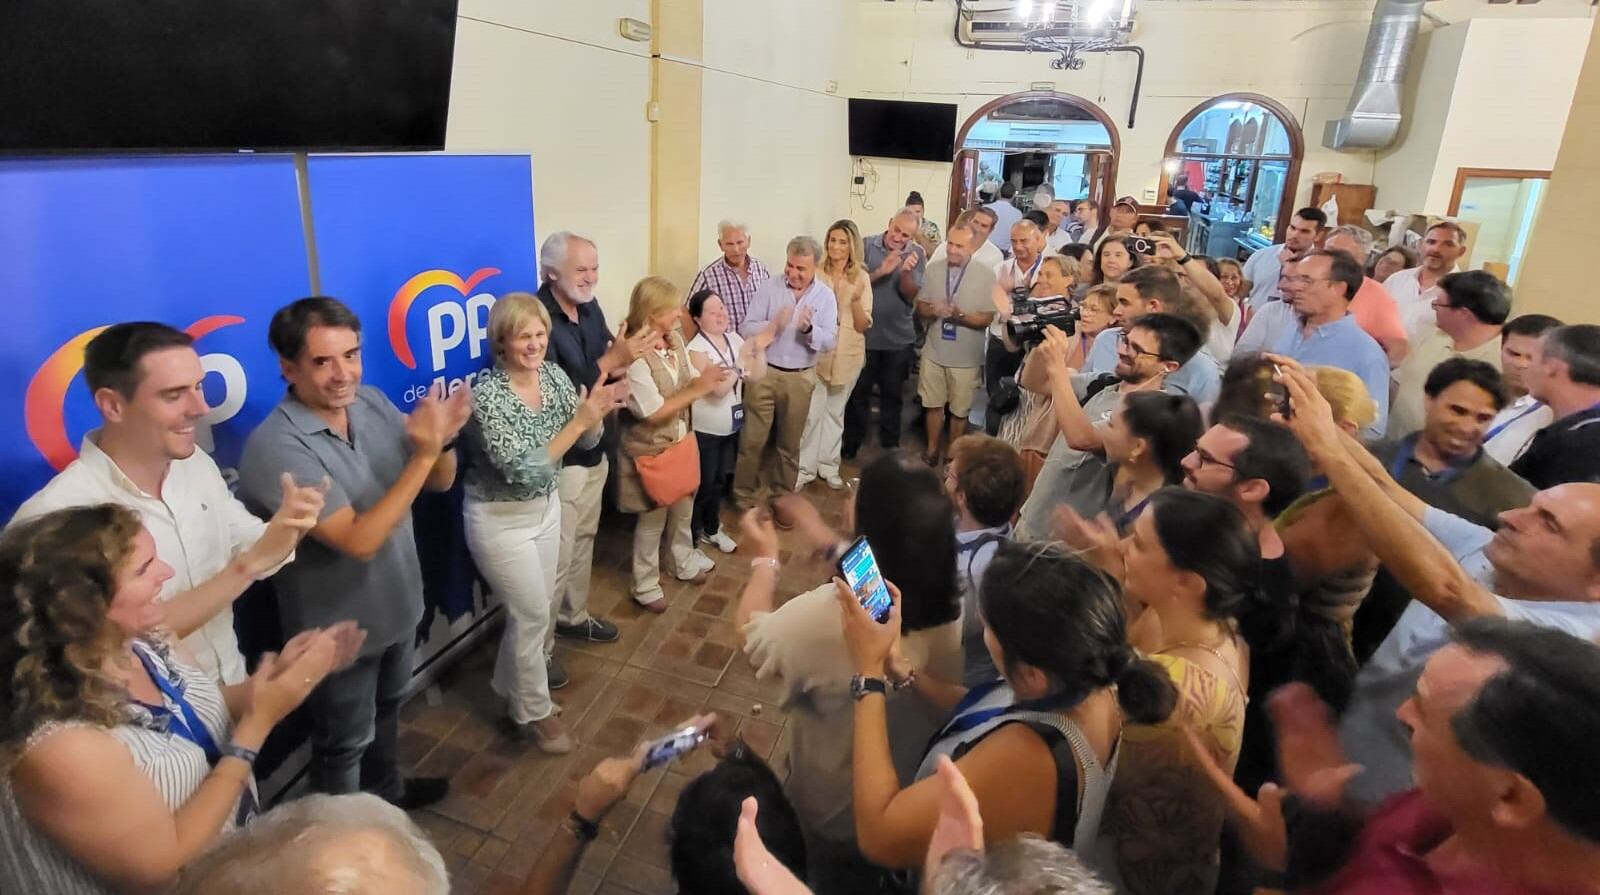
(1036, 138)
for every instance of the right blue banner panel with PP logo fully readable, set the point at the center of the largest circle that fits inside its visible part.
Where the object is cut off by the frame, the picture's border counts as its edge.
(420, 246)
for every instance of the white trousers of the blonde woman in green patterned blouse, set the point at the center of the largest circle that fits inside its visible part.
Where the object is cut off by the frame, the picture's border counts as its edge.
(516, 547)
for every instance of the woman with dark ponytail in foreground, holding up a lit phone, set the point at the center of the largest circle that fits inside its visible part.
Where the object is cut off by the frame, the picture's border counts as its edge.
(1042, 745)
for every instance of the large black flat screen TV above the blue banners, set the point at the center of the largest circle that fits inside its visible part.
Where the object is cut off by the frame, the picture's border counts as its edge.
(169, 76)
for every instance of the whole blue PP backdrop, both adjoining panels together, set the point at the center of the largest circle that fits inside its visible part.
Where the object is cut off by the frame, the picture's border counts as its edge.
(417, 246)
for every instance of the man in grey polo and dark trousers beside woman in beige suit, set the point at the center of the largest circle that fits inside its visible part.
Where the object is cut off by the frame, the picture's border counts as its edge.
(897, 265)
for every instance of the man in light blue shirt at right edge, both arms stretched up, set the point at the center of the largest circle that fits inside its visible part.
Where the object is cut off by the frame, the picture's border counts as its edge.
(1542, 566)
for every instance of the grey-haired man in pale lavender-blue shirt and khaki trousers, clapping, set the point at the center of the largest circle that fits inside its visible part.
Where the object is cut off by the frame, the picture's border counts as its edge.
(777, 406)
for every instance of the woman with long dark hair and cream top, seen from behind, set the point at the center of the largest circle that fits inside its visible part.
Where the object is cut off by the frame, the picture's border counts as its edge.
(903, 513)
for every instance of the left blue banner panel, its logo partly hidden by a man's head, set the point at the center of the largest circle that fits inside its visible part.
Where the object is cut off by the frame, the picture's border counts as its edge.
(212, 246)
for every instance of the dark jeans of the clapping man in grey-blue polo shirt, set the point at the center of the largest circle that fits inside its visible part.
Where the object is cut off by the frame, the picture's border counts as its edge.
(356, 723)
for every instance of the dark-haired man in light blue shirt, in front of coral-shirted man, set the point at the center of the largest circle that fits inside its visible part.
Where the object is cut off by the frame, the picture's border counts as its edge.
(1329, 335)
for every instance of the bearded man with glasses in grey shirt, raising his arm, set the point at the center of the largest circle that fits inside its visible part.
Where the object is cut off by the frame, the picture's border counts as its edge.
(1076, 473)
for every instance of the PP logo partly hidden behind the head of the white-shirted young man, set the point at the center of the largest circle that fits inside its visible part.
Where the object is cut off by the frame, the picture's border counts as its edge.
(46, 406)
